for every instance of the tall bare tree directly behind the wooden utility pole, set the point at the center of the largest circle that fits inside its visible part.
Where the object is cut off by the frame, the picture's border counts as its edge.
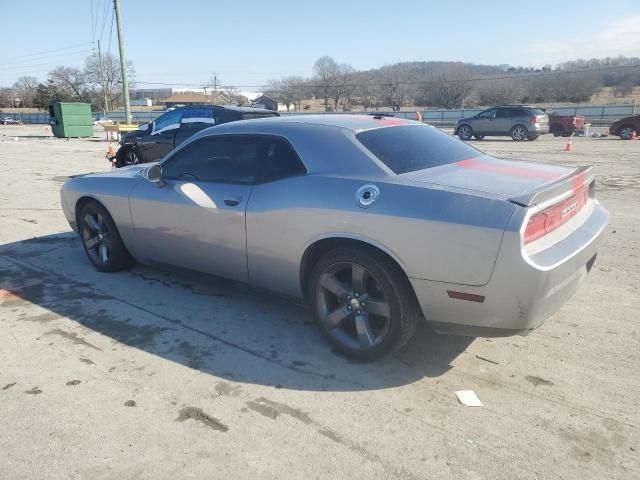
(105, 74)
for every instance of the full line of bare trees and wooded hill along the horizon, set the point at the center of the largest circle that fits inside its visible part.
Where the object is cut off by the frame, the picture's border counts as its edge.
(341, 87)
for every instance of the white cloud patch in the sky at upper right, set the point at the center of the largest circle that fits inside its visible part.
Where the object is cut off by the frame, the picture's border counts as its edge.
(621, 37)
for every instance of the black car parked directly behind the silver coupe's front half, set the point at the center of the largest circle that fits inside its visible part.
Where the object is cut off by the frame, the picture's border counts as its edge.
(153, 141)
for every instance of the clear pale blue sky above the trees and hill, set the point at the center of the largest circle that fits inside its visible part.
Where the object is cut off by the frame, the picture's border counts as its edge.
(248, 42)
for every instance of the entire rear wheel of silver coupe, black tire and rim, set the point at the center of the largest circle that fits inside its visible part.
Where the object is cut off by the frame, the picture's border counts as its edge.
(389, 325)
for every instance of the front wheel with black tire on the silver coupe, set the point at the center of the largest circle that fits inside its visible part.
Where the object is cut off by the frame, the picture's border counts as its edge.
(100, 239)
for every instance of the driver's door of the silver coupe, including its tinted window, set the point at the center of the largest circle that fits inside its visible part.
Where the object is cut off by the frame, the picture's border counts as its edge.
(196, 220)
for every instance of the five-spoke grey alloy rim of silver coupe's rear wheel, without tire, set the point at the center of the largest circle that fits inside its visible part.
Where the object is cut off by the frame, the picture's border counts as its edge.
(353, 306)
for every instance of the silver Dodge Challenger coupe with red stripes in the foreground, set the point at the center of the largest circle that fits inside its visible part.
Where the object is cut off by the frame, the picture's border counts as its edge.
(376, 222)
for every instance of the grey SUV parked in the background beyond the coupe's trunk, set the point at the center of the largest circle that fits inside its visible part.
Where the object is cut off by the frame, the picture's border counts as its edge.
(520, 122)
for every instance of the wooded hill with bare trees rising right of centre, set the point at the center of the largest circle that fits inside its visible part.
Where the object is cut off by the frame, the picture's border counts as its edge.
(453, 84)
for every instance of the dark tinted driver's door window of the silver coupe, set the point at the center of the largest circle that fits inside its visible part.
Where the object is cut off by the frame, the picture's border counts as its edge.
(230, 159)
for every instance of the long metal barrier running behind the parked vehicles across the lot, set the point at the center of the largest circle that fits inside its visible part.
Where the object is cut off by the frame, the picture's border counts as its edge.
(595, 114)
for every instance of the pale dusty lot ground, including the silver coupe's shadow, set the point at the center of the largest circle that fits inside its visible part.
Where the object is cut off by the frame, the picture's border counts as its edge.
(150, 375)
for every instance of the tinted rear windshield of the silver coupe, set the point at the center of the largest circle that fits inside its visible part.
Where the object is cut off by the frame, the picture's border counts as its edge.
(415, 147)
